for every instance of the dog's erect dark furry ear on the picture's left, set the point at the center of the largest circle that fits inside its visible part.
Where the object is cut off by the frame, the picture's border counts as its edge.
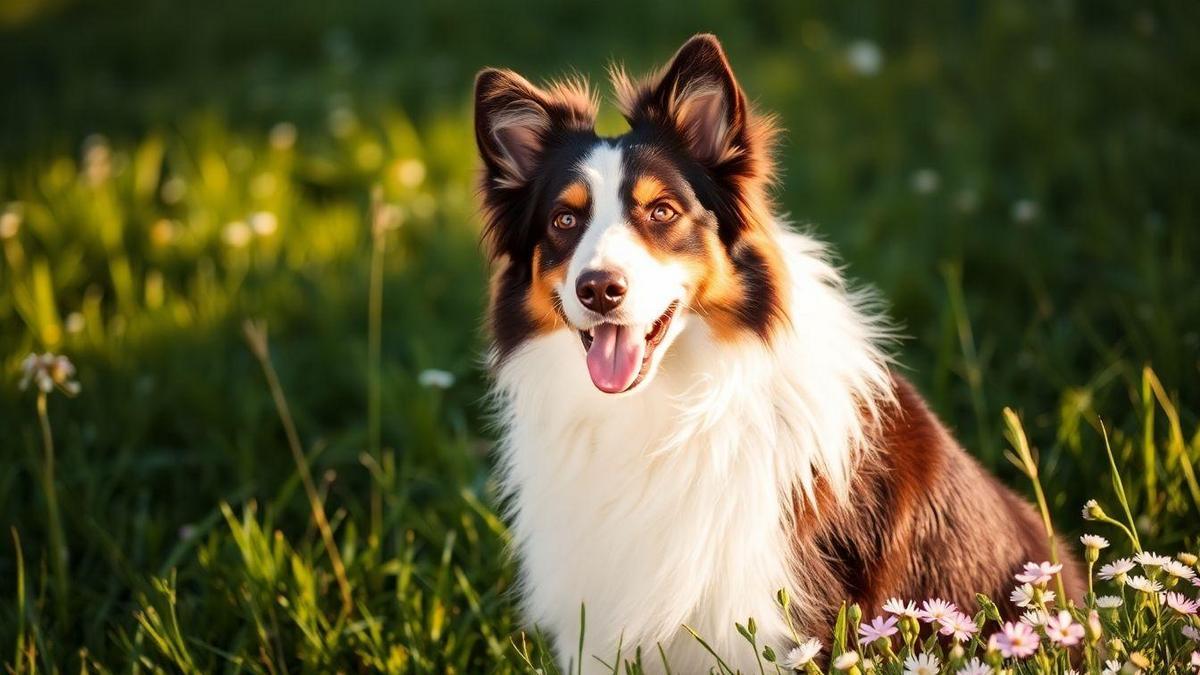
(515, 122)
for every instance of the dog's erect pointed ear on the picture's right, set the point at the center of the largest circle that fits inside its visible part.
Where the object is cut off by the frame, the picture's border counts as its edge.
(698, 95)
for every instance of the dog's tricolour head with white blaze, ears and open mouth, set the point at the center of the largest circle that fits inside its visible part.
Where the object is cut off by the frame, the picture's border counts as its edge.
(626, 241)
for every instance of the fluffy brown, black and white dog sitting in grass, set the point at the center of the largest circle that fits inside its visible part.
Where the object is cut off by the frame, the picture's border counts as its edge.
(697, 409)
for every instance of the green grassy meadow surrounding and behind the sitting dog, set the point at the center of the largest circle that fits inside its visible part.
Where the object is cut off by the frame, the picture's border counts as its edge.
(1051, 270)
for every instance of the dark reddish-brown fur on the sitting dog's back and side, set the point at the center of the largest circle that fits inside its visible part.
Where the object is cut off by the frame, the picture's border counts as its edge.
(923, 521)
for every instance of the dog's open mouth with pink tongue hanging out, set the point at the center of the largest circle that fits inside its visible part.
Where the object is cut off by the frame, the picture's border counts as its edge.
(621, 356)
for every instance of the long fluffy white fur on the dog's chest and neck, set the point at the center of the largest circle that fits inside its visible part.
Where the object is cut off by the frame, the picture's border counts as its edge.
(669, 507)
